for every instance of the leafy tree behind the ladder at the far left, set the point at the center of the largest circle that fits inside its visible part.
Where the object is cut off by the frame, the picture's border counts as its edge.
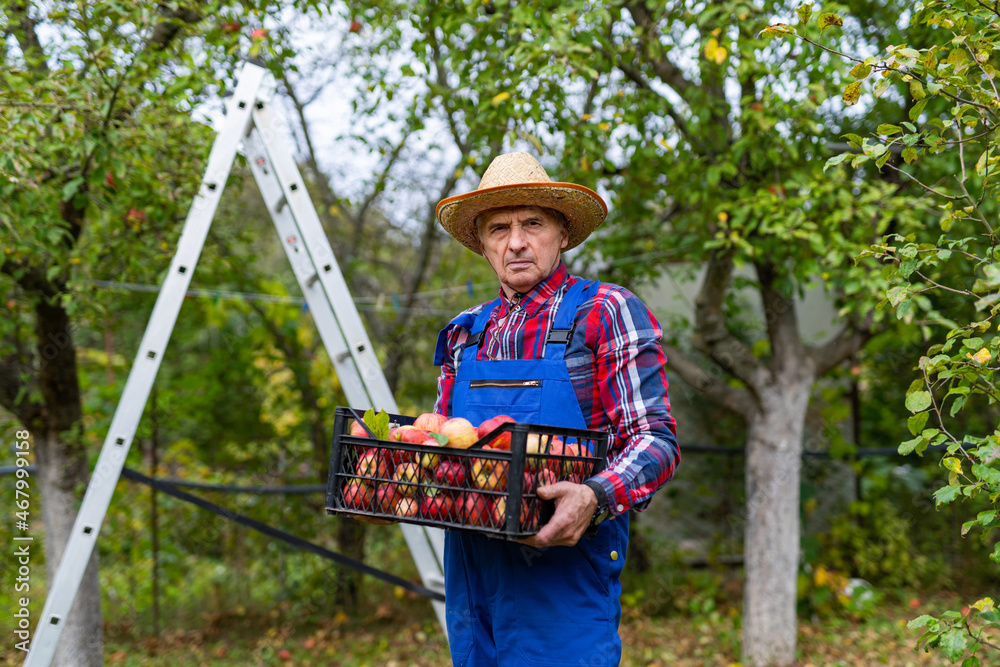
(99, 163)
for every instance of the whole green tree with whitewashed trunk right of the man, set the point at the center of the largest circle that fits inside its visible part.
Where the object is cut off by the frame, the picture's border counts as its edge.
(710, 140)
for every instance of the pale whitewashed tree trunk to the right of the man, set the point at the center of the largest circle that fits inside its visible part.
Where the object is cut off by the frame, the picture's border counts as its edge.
(771, 542)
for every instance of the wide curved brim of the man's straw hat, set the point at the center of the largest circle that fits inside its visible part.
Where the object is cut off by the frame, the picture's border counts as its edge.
(584, 209)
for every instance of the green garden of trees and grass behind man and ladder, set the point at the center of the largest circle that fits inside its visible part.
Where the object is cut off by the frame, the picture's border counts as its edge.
(803, 193)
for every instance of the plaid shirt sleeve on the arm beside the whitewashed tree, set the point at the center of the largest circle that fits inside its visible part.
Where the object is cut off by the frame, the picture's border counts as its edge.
(632, 382)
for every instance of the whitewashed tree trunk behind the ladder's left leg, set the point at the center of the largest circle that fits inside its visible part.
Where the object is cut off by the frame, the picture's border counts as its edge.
(59, 478)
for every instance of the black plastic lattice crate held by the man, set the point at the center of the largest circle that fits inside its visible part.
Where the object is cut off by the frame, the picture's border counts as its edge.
(491, 491)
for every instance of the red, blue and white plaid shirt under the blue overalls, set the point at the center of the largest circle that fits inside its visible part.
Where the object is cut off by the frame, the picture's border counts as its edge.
(617, 370)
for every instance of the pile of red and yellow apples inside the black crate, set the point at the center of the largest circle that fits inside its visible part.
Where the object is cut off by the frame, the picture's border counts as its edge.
(463, 489)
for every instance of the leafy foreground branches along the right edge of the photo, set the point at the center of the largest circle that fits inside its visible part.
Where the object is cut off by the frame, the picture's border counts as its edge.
(948, 275)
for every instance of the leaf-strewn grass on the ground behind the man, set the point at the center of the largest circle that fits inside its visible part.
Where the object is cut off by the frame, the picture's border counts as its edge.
(402, 633)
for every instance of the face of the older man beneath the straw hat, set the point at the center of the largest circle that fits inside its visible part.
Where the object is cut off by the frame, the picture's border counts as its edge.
(523, 246)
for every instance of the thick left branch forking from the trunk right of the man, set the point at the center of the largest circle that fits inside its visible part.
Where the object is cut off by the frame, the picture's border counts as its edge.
(711, 336)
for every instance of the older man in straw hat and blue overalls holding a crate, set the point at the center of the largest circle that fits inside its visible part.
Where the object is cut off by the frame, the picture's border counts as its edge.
(558, 350)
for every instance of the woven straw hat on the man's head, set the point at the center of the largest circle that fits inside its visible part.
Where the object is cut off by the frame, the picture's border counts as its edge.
(516, 179)
